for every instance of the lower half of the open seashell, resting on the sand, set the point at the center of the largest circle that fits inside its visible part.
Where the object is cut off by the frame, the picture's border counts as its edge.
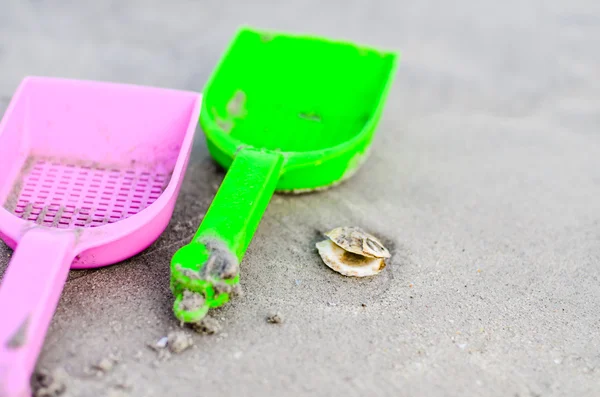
(348, 263)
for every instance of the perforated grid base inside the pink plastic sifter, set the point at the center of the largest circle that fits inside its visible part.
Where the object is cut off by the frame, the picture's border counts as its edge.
(67, 194)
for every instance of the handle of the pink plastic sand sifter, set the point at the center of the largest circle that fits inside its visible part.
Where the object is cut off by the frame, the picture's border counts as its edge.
(29, 293)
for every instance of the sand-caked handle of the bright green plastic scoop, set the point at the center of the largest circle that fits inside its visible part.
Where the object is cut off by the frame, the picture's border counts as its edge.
(225, 232)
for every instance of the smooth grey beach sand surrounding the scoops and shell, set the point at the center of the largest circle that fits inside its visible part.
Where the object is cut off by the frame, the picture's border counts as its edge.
(484, 175)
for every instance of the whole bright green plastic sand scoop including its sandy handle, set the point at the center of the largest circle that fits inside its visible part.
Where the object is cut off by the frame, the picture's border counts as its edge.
(283, 113)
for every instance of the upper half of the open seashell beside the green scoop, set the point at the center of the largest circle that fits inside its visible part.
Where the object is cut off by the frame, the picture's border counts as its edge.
(356, 240)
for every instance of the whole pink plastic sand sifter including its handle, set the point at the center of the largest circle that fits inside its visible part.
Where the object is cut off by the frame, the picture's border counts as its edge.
(89, 176)
